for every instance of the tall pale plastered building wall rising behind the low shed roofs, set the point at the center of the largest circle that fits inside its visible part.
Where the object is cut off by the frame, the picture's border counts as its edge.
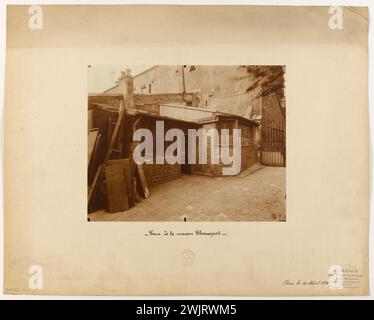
(223, 88)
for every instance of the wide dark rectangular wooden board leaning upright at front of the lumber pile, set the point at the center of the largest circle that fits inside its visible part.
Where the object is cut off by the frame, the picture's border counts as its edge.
(116, 187)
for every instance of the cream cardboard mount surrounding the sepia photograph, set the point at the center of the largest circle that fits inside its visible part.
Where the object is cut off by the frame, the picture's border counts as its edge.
(321, 248)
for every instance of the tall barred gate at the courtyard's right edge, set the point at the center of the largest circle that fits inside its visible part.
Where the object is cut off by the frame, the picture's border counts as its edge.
(273, 143)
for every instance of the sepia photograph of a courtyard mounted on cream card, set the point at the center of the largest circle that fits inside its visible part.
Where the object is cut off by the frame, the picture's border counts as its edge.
(186, 143)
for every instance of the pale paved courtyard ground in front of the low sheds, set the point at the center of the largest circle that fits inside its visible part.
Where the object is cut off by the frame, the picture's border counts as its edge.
(259, 196)
